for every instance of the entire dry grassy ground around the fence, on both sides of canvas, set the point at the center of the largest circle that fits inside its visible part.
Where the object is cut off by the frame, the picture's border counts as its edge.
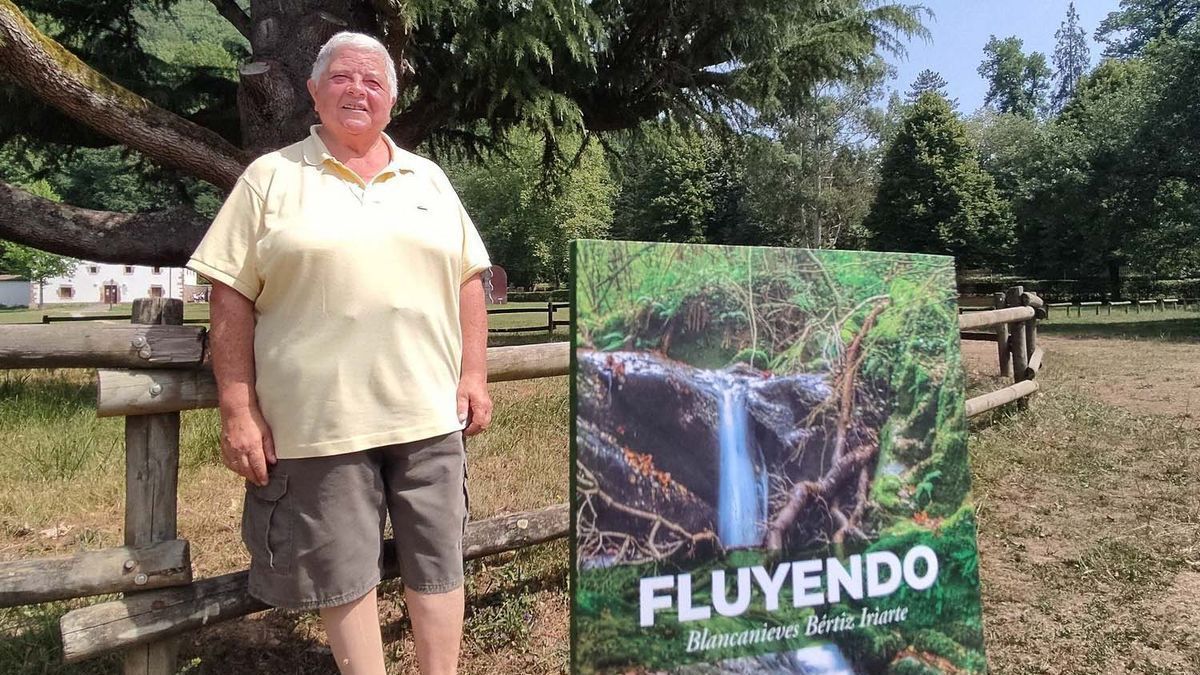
(1089, 510)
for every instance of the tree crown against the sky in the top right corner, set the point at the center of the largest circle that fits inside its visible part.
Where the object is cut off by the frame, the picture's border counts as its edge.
(1138, 23)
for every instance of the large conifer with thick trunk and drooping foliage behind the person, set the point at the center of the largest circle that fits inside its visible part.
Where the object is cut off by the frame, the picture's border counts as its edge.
(478, 68)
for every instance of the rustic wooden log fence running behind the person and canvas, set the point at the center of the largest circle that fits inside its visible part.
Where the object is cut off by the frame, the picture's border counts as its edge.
(152, 371)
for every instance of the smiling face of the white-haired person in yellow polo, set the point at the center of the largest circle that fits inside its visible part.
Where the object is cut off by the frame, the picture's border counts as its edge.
(352, 97)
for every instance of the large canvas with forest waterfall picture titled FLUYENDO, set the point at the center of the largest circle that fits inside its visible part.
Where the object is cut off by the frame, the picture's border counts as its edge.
(770, 464)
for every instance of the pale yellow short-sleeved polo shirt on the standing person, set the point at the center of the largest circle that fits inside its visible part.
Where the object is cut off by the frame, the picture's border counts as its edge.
(356, 290)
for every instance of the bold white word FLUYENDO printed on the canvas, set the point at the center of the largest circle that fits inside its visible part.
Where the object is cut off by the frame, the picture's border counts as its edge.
(813, 583)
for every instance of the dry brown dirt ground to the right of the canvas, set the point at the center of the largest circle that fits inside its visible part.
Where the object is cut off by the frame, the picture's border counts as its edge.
(1090, 551)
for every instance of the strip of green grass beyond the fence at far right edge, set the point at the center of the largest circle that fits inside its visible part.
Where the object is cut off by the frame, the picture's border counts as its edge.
(1171, 326)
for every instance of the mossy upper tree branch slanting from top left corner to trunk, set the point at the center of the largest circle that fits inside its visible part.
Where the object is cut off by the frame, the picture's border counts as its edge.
(57, 76)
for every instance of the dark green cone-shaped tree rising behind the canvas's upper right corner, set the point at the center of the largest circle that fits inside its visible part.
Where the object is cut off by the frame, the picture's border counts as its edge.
(934, 198)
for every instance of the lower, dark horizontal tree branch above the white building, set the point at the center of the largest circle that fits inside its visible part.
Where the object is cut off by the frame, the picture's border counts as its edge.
(159, 238)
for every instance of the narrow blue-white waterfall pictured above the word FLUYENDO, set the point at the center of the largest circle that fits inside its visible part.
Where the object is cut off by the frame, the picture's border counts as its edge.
(742, 491)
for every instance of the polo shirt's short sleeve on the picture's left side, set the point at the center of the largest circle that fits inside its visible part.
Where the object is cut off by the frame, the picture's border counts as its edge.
(230, 250)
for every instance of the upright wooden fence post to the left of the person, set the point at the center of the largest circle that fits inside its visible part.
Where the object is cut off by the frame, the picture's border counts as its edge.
(152, 479)
